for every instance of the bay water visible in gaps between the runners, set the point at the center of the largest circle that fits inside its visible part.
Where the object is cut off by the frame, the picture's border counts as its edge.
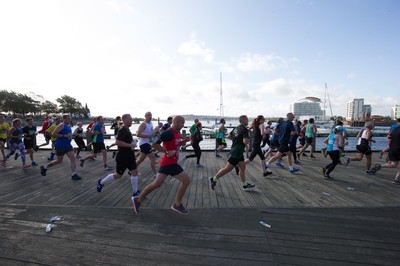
(209, 144)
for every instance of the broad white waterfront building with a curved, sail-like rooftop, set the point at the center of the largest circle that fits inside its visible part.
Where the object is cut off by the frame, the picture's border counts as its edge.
(307, 108)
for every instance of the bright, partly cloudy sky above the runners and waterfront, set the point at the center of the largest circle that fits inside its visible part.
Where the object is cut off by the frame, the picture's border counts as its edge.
(170, 56)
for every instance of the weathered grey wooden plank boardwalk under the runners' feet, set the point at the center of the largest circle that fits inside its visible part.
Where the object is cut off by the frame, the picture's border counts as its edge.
(352, 220)
